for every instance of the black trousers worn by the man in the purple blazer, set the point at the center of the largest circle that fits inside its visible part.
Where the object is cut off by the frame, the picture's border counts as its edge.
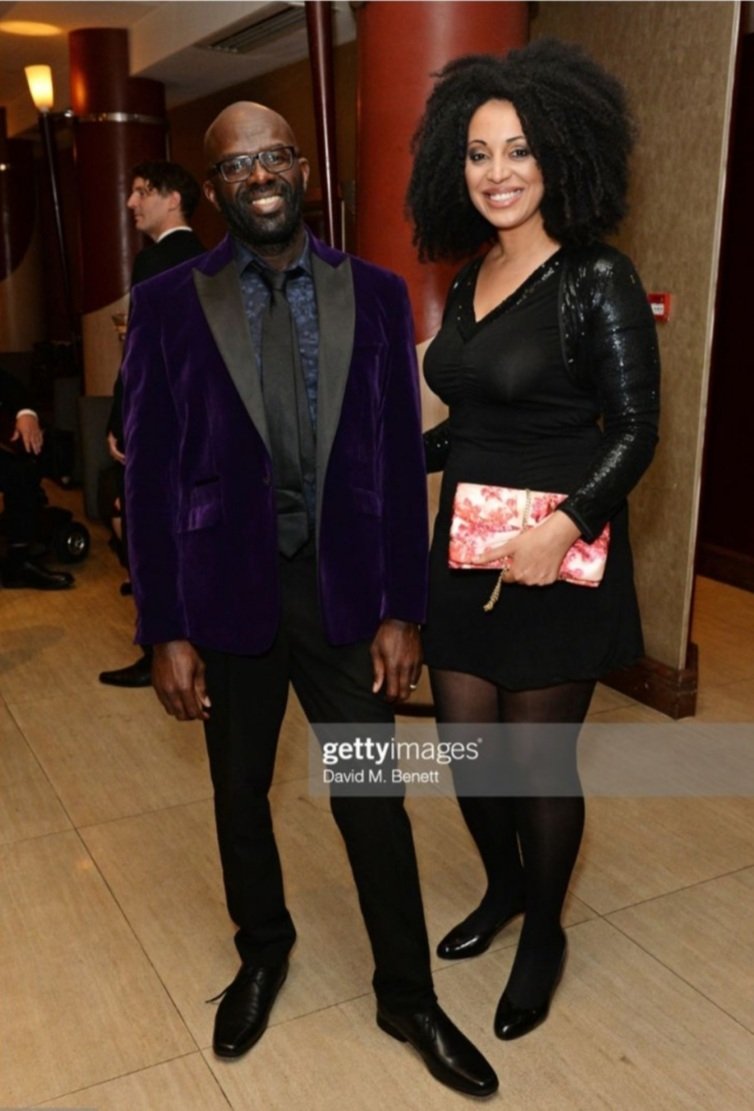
(334, 685)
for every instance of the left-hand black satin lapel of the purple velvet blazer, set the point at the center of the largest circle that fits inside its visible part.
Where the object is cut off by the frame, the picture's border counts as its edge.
(220, 298)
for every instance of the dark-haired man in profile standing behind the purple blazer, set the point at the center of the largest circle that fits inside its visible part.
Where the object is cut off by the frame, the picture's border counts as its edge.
(163, 199)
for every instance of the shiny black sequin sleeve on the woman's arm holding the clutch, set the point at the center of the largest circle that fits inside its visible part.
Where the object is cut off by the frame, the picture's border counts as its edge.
(619, 337)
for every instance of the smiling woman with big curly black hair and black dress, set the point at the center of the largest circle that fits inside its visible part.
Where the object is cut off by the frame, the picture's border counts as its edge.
(548, 362)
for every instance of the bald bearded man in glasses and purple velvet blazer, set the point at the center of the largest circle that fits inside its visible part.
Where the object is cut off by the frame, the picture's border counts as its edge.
(273, 386)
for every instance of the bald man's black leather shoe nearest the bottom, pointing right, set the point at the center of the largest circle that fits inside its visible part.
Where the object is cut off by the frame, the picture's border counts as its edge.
(447, 1053)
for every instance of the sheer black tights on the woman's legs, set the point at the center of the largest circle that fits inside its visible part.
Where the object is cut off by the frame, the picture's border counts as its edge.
(528, 842)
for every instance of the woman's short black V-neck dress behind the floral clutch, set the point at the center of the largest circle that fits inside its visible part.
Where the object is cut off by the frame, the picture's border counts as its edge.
(518, 419)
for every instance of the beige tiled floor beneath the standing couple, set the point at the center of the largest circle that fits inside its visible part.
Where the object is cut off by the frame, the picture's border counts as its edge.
(114, 930)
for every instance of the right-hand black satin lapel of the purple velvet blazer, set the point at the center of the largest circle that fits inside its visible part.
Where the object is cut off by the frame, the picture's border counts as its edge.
(337, 312)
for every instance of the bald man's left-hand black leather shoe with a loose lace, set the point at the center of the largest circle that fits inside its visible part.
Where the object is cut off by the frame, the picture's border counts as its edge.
(245, 1009)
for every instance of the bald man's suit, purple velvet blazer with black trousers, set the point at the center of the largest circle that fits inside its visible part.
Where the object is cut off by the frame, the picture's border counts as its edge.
(206, 566)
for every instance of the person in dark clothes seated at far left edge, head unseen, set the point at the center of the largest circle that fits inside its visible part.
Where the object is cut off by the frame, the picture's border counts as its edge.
(22, 441)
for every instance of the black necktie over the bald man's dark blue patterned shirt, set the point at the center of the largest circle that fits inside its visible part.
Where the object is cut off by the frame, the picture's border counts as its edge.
(289, 424)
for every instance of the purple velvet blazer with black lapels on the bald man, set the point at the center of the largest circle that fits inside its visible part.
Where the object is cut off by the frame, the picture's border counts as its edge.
(200, 498)
